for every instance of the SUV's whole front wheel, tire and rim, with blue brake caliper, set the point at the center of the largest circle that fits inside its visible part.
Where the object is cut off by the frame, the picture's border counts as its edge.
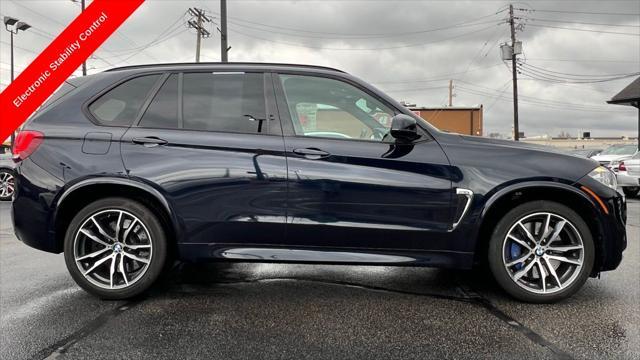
(541, 252)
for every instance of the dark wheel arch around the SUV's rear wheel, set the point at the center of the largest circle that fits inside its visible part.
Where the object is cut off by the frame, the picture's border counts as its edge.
(82, 193)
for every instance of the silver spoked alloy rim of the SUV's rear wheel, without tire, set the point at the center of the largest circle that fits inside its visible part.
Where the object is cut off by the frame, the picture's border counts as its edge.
(113, 249)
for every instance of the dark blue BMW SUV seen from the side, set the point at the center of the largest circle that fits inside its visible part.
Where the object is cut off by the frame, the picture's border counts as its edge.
(126, 170)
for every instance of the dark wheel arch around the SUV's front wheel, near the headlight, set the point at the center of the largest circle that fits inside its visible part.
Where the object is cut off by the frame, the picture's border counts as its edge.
(511, 196)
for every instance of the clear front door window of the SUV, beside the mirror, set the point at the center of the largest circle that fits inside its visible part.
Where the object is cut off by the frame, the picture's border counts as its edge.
(322, 107)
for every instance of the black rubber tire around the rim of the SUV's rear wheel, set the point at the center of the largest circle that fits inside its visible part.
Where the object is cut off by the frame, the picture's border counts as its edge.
(157, 239)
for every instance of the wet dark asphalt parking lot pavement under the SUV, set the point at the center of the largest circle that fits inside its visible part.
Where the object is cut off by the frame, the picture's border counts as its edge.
(243, 311)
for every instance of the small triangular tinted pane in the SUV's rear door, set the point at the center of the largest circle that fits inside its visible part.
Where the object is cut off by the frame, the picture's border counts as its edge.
(163, 110)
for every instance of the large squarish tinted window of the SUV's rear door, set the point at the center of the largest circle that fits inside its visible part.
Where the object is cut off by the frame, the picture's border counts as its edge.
(230, 102)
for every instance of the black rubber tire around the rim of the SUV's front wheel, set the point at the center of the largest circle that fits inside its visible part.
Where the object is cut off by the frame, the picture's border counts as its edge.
(495, 251)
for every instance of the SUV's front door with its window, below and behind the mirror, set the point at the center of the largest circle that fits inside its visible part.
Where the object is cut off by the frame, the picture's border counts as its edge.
(351, 186)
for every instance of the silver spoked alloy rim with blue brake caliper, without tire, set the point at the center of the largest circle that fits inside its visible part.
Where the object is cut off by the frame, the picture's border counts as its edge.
(543, 253)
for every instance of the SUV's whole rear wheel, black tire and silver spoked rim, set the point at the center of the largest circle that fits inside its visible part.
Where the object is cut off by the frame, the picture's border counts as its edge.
(115, 248)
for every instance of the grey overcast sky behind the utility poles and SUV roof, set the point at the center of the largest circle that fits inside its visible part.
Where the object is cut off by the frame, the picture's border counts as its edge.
(410, 49)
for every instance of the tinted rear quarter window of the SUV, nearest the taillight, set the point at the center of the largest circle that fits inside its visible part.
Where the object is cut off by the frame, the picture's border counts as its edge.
(121, 105)
